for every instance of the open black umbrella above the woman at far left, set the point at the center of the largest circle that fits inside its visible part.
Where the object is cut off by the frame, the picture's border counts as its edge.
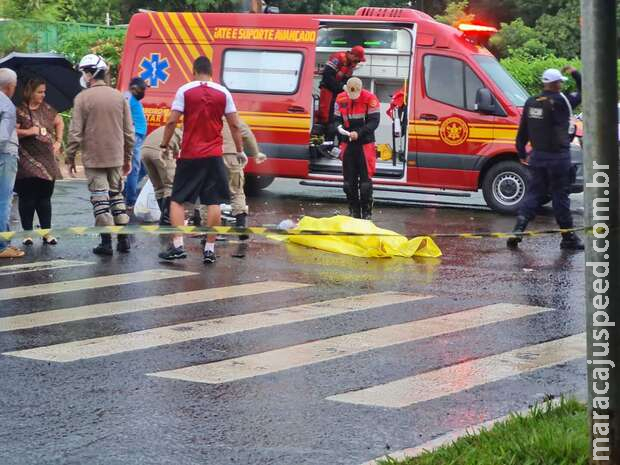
(62, 80)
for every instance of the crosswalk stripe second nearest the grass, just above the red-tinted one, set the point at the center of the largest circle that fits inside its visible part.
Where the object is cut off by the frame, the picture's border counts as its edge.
(342, 346)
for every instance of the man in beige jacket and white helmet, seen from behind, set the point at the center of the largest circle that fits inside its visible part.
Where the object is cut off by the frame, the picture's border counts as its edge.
(102, 131)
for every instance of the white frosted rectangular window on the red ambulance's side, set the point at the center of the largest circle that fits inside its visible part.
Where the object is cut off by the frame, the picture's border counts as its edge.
(262, 71)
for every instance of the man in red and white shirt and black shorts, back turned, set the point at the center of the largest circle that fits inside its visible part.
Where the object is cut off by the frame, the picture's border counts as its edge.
(200, 171)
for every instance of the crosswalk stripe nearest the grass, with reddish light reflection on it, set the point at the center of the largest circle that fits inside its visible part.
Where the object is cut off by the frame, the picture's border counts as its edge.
(466, 375)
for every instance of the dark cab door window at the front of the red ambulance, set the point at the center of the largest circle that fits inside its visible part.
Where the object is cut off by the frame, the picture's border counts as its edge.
(451, 81)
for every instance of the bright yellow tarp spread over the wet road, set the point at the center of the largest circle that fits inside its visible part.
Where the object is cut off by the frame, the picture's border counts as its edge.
(390, 245)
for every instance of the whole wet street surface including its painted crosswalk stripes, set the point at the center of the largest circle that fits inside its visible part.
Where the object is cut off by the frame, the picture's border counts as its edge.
(288, 356)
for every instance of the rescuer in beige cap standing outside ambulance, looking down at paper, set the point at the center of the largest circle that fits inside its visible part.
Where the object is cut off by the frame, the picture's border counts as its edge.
(357, 115)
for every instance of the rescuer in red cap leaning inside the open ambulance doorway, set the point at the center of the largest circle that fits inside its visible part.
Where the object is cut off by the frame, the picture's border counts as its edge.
(338, 69)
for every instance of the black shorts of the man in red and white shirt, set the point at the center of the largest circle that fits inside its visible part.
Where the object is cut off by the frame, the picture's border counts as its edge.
(201, 178)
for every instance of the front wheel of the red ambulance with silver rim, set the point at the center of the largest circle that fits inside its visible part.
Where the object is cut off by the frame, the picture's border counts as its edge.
(504, 186)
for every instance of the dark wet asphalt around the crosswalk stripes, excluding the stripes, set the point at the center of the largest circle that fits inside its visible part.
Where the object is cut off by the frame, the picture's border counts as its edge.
(106, 410)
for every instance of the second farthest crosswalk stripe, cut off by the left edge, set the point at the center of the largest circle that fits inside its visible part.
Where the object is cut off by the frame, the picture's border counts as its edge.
(90, 283)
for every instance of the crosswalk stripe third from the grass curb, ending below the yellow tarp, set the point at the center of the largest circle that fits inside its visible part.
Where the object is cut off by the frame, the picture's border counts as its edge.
(109, 345)
